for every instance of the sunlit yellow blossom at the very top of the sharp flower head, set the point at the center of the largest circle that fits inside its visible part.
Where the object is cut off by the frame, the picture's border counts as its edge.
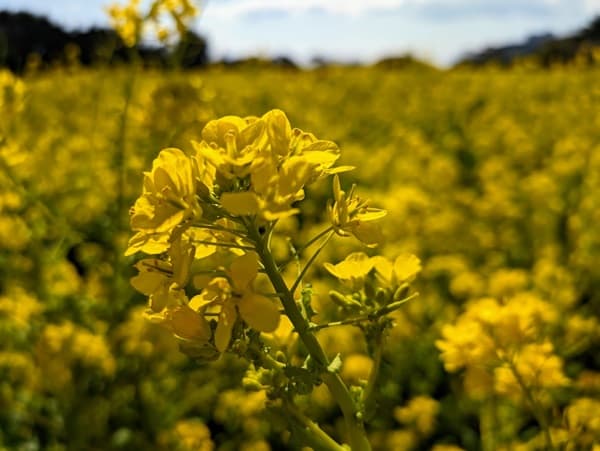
(280, 162)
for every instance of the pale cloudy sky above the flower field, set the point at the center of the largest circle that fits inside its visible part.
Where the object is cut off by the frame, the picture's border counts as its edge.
(440, 31)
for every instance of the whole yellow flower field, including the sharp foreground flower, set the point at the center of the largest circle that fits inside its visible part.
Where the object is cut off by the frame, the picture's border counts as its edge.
(491, 182)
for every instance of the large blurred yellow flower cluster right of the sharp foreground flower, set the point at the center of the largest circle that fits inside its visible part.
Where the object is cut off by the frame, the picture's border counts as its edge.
(502, 346)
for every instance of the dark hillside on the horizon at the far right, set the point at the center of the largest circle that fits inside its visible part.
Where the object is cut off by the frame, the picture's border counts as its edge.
(547, 49)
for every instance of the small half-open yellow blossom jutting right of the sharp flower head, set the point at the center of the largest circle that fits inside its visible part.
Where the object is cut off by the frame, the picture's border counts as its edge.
(351, 215)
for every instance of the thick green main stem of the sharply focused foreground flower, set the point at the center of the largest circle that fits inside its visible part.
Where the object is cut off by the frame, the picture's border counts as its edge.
(356, 432)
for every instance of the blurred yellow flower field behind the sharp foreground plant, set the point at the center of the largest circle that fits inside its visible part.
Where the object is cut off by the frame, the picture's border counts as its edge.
(490, 176)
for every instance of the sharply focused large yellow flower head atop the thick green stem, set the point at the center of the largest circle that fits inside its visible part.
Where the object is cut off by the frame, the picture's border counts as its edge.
(197, 215)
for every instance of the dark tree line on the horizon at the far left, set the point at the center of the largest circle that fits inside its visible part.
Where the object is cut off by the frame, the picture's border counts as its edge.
(23, 35)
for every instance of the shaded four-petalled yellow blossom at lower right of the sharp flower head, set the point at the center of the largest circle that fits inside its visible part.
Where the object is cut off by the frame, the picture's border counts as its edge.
(236, 296)
